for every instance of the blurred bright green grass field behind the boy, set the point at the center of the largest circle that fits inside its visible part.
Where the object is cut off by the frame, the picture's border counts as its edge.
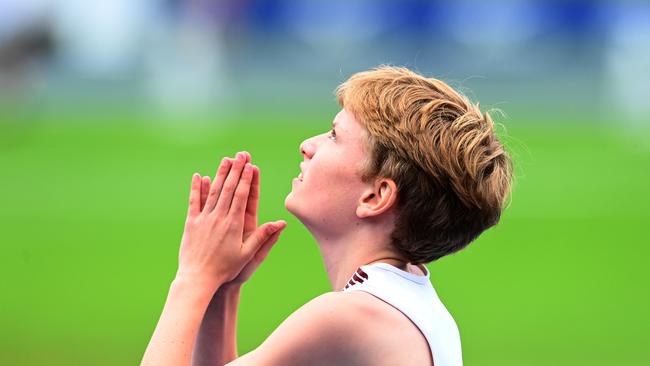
(92, 216)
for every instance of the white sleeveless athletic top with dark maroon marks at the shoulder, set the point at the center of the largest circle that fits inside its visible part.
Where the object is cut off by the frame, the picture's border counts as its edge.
(415, 297)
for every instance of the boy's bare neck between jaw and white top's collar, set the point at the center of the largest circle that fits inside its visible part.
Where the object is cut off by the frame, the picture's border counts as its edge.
(343, 254)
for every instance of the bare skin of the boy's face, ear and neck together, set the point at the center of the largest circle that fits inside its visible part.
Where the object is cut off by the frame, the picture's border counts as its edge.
(338, 208)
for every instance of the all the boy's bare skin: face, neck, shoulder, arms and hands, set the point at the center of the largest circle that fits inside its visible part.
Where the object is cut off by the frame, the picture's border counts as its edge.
(222, 246)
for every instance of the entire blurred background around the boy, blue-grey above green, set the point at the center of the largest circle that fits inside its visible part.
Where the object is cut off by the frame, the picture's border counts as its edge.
(108, 107)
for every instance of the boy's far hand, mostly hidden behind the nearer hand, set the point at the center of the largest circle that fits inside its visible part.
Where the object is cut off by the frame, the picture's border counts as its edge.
(250, 224)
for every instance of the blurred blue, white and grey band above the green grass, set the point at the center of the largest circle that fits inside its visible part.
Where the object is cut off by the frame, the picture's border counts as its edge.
(204, 54)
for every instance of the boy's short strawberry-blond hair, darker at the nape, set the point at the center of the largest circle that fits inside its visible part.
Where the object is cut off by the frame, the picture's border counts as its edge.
(452, 173)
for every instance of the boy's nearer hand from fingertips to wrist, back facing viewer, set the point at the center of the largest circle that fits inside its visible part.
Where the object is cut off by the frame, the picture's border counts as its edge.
(214, 249)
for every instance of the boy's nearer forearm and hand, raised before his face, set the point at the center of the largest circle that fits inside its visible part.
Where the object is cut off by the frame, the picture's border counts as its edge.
(213, 252)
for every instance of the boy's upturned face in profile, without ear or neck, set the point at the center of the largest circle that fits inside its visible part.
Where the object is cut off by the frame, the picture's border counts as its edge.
(326, 194)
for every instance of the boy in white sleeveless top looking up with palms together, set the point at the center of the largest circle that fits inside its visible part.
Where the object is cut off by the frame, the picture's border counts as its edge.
(410, 172)
